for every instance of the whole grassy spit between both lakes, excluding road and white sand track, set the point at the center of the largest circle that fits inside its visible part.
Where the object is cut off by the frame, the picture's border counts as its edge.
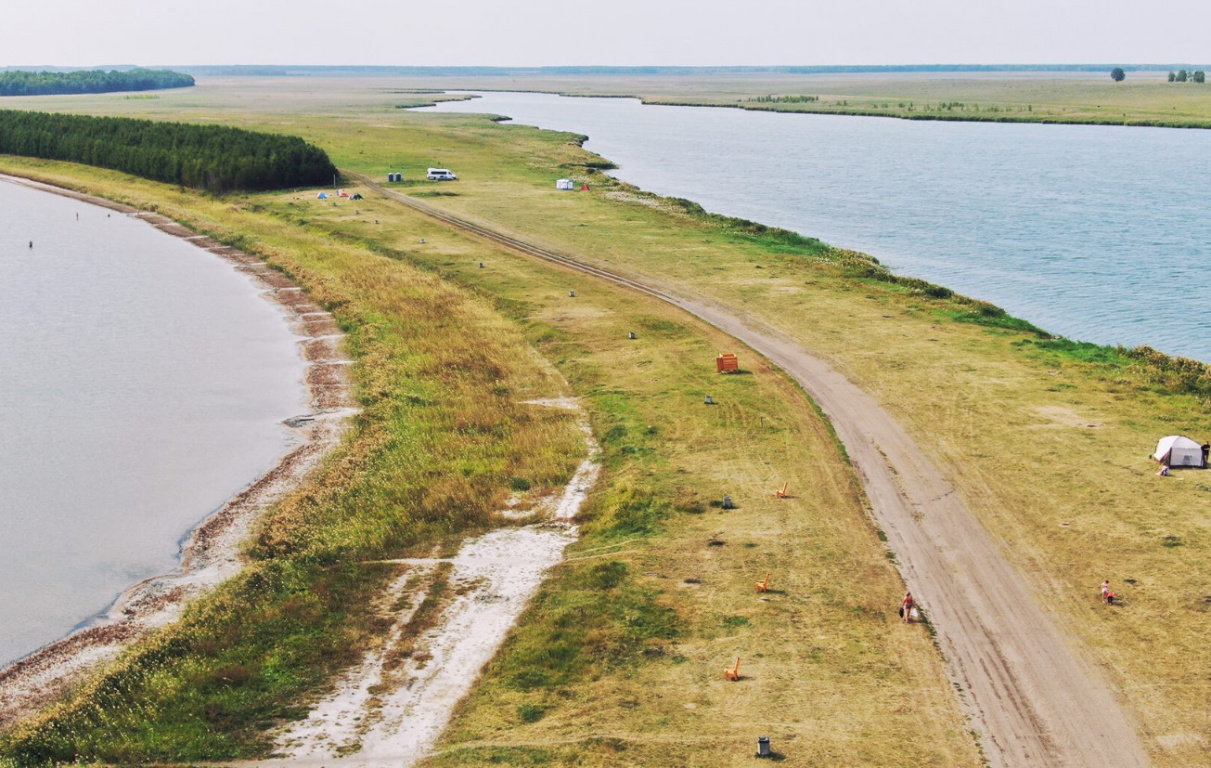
(619, 661)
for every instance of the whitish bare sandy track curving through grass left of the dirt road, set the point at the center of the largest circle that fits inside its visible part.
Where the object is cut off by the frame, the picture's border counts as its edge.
(393, 708)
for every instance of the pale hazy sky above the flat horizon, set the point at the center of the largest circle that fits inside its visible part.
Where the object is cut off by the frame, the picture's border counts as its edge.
(530, 33)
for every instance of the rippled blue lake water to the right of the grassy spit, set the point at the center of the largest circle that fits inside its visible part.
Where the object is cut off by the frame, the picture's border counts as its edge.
(1098, 233)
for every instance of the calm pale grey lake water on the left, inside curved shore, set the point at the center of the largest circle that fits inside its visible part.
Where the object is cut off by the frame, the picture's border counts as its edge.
(144, 382)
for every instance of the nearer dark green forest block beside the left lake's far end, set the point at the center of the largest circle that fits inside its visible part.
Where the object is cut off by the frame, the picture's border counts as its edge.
(206, 157)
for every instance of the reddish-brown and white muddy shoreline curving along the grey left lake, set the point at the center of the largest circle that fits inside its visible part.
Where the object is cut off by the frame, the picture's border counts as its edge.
(211, 554)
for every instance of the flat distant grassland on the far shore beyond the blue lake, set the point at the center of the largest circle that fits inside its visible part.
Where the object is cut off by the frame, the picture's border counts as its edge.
(1145, 99)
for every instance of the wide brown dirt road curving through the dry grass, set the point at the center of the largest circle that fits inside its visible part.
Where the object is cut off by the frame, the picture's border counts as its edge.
(1031, 692)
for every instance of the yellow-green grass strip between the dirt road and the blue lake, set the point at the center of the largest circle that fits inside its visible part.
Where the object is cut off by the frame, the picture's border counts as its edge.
(1047, 439)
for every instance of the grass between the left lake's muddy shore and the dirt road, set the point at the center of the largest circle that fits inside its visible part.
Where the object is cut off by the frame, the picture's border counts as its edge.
(646, 603)
